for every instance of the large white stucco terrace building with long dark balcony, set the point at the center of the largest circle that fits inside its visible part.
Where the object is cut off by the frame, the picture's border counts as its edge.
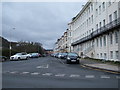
(96, 30)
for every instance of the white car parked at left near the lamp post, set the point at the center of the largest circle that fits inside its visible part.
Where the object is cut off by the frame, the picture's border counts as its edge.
(19, 56)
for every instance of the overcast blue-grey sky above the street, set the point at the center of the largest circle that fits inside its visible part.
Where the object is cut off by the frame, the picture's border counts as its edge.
(42, 22)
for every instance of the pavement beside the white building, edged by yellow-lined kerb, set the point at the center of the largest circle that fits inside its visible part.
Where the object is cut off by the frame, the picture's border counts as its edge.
(99, 65)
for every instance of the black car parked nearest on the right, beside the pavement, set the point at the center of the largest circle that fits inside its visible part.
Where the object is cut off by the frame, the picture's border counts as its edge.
(72, 58)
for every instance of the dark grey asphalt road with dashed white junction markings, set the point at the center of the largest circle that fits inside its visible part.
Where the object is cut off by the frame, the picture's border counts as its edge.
(50, 72)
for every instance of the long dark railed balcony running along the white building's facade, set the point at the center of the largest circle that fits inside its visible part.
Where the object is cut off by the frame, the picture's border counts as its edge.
(105, 29)
